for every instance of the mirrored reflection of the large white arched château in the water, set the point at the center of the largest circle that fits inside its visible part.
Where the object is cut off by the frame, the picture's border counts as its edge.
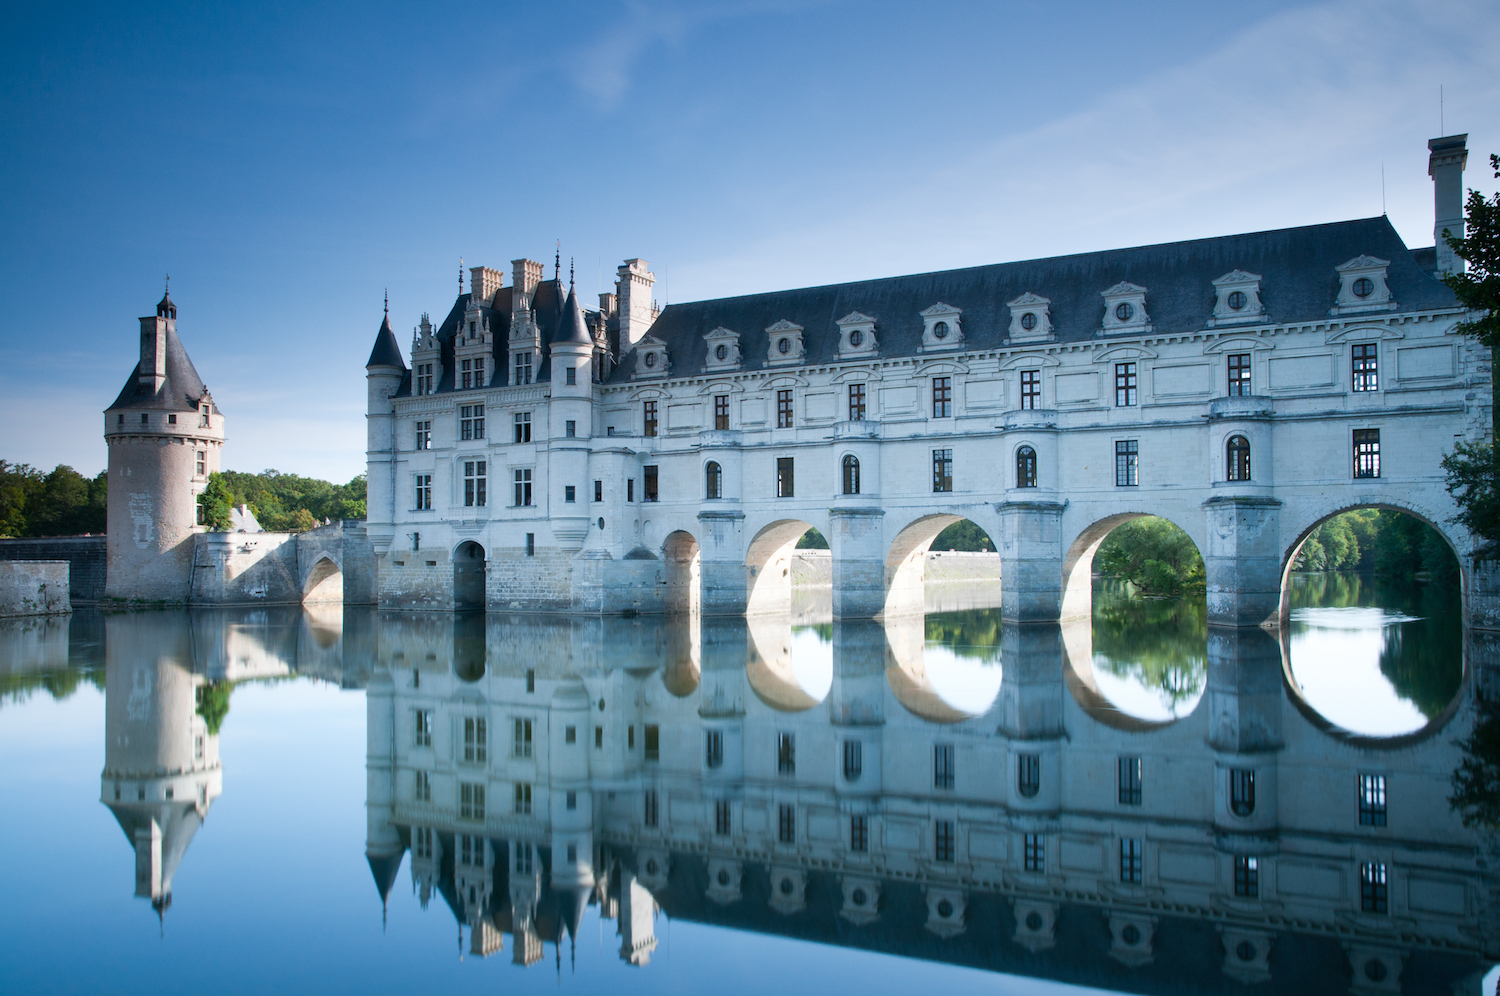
(535, 766)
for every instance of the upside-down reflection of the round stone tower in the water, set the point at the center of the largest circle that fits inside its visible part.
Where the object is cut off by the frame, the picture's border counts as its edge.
(161, 772)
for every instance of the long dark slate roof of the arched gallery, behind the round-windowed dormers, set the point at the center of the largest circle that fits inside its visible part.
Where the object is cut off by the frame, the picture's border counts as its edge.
(1295, 265)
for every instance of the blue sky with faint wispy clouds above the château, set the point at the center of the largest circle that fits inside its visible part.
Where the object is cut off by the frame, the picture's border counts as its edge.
(289, 163)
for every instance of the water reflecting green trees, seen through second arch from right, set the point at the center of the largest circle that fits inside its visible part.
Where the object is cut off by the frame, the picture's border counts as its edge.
(1159, 643)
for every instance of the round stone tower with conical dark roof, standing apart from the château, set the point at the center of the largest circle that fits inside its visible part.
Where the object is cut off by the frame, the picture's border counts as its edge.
(164, 436)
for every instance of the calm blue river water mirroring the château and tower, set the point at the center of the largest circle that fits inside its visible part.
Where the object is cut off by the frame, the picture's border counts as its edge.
(1042, 809)
